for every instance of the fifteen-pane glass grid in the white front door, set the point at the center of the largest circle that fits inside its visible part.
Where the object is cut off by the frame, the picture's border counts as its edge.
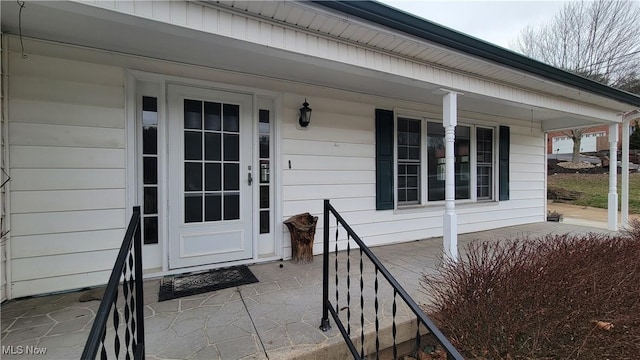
(211, 161)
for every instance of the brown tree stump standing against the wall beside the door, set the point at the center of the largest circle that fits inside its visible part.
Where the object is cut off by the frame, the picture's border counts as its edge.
(303, 229)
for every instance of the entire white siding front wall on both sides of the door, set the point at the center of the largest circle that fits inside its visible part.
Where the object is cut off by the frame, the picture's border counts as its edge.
(67, 160)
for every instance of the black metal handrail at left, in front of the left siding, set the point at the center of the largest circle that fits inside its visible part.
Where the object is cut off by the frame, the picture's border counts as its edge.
(128, 267)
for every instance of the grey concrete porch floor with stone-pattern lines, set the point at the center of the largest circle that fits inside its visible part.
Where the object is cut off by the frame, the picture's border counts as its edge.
(276, 318)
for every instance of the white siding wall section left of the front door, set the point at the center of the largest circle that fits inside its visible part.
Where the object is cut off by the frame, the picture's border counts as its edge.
(67, 161)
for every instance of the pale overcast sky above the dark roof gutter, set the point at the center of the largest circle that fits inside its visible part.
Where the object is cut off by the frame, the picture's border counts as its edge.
(498, 22)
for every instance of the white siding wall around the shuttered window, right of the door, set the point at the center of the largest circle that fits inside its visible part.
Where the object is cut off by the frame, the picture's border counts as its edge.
(335, 159)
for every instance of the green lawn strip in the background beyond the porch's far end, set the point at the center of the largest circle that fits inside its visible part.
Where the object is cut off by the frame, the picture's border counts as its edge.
(595, 189)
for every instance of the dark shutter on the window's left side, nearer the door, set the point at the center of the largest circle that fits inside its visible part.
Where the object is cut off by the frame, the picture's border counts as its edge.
(384, 159)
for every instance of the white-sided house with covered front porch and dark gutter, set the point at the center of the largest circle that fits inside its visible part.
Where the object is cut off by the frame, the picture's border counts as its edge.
(192, 110)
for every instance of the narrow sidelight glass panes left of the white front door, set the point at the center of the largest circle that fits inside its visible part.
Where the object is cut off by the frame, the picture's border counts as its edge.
(149, 125)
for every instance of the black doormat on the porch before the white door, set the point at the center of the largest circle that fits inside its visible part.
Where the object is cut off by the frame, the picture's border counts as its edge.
(177, 286)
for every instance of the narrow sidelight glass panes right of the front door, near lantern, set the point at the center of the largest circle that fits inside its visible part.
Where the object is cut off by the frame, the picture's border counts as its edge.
(264, 139)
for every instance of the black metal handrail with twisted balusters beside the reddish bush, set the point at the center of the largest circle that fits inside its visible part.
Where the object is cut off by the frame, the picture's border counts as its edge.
(328, 307)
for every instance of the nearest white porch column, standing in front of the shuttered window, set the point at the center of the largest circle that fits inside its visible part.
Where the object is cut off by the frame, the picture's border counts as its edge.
(450, 219)
